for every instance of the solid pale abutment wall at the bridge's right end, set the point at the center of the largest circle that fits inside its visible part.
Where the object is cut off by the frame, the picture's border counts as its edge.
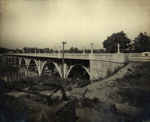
(101, 68)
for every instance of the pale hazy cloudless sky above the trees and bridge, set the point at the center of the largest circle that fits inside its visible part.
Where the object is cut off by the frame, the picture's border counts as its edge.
(47, 23)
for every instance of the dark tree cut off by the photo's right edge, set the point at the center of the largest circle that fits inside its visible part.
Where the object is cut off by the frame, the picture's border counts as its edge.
(141, 43)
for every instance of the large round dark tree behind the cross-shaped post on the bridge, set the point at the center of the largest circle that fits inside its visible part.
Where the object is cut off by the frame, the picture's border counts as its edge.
(111, 43)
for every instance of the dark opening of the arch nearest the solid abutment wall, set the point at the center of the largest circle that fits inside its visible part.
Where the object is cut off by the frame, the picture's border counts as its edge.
(78, 72)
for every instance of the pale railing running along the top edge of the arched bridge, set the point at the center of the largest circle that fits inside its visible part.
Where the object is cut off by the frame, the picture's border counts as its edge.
(85, 56)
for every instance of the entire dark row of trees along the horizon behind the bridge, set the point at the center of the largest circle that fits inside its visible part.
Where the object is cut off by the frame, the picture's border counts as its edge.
(141, 43)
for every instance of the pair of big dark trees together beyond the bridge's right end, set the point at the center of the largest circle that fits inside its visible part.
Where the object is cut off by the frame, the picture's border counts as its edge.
(140, 44)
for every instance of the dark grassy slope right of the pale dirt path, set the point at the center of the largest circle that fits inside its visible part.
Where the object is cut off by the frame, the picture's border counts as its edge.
(134, 87)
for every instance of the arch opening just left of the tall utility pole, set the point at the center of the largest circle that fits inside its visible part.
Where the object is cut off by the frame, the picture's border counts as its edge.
(51, 69)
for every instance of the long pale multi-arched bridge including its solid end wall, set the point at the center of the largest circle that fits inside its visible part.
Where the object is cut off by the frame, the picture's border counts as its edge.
(95, 65)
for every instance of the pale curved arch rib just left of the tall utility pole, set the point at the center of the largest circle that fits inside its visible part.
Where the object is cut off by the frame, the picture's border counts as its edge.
(55, 64)
